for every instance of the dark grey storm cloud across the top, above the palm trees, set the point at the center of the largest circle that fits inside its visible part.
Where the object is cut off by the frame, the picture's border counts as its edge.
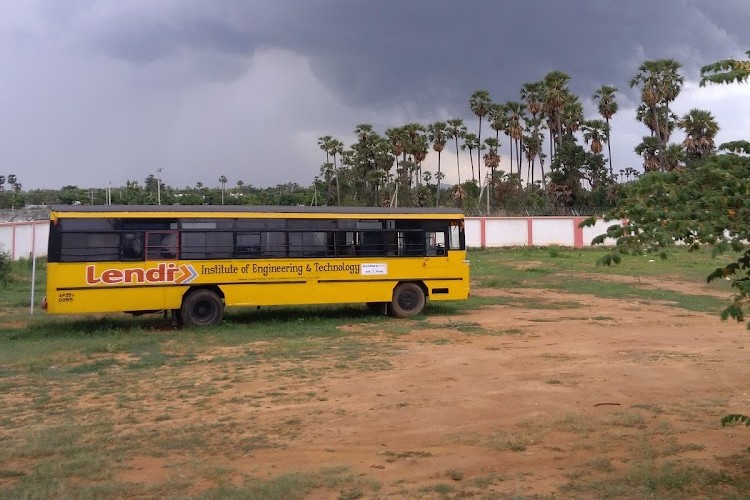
(383, 53)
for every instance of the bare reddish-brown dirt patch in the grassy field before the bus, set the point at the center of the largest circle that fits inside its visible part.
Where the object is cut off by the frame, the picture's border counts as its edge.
(501, 401)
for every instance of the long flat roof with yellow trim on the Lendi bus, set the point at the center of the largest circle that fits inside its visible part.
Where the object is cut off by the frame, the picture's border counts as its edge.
(251, 210)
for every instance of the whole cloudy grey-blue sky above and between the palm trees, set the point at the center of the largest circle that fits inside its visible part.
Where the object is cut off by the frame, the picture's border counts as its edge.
(94, 92)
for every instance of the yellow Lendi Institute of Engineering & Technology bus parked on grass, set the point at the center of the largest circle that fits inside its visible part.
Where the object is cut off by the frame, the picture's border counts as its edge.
(196, 260)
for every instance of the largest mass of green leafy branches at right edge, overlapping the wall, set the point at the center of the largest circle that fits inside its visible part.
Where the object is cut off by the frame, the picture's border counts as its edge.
(705, 205)
